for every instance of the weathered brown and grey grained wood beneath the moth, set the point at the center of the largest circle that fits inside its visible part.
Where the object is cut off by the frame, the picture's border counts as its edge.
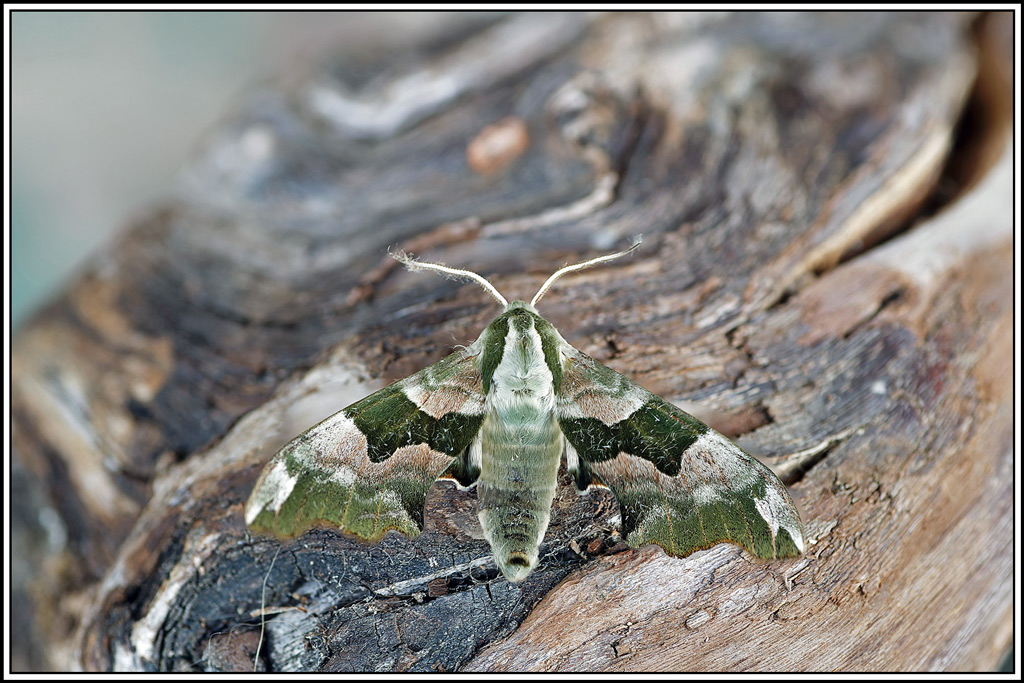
(766, 159)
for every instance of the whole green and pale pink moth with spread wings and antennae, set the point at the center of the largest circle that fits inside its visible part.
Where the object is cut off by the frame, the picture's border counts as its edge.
(502, 414)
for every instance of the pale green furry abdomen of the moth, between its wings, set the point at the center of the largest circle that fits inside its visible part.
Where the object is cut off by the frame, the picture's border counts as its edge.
(519, 476)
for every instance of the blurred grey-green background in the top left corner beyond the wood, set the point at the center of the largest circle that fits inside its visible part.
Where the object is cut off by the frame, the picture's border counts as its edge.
(107, 107)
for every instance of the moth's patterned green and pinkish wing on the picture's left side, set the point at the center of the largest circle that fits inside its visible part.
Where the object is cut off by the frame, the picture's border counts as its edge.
(368, 468)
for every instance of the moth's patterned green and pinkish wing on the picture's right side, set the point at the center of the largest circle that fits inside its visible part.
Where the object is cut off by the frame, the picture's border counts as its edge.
(679, 484)
